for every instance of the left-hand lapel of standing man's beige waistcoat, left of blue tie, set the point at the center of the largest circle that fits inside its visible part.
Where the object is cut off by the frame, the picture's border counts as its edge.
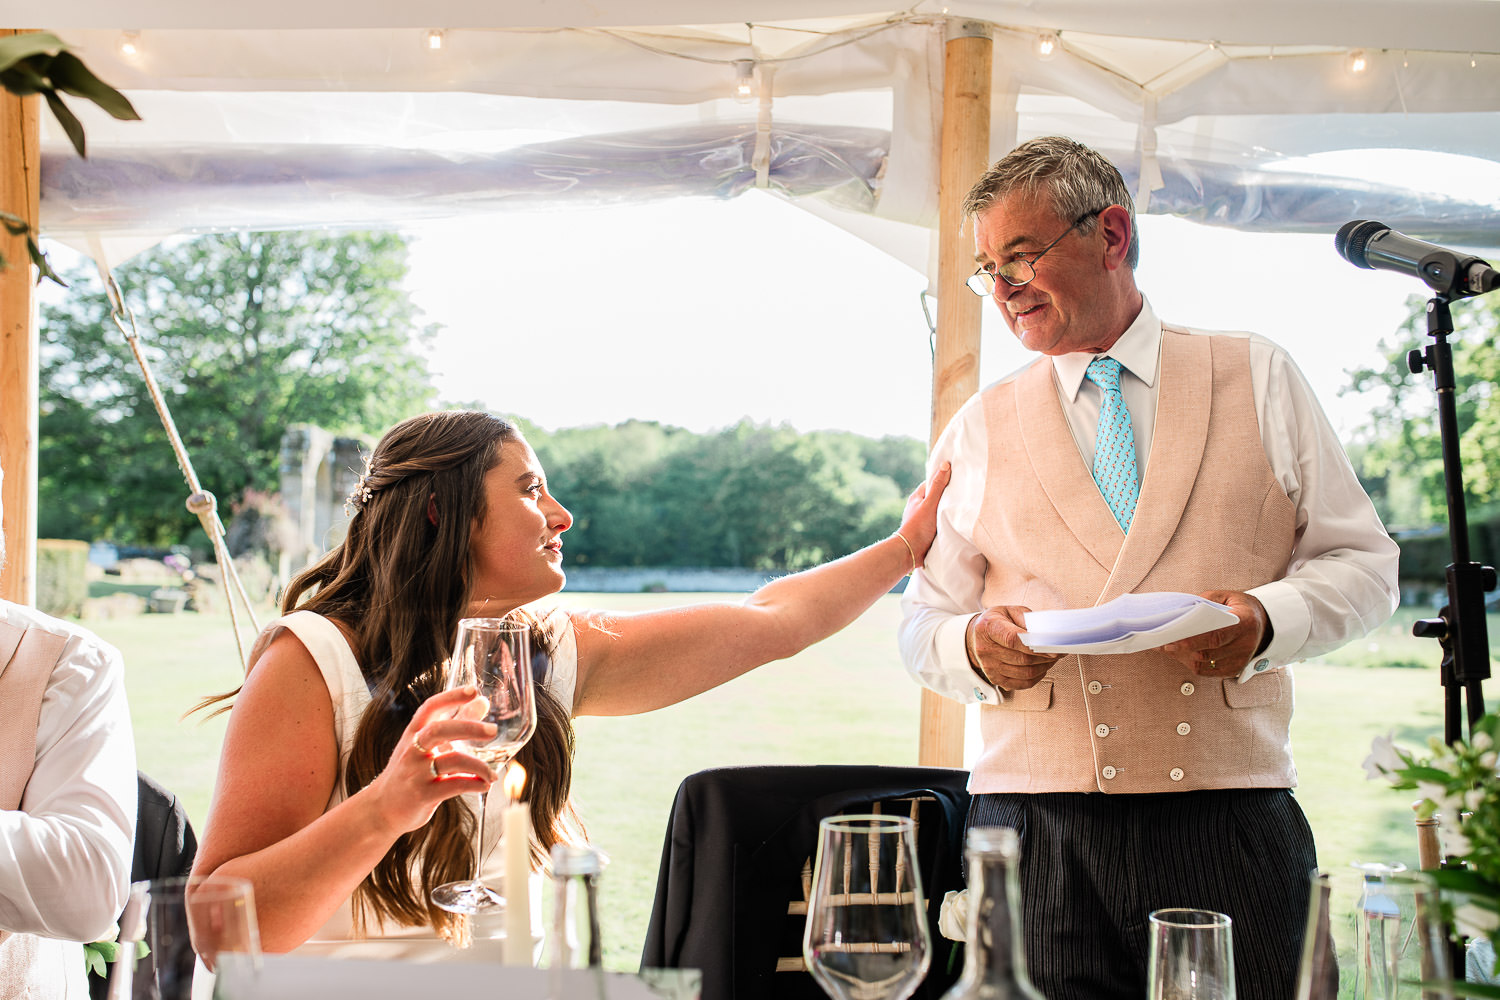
(1060, 469)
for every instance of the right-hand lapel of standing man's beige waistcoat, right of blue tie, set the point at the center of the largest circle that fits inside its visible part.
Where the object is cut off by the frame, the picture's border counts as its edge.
(1177, 452)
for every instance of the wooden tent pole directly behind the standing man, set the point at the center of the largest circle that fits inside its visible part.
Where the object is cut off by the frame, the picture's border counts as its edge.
(956, 358)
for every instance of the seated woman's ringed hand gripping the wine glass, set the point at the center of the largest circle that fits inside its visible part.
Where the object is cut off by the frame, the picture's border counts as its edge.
(431, 762)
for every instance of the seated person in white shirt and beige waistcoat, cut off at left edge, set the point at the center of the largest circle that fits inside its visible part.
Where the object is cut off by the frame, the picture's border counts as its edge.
(67, 801)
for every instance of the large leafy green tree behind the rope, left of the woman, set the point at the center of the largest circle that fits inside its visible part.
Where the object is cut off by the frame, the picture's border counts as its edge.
(247, 334)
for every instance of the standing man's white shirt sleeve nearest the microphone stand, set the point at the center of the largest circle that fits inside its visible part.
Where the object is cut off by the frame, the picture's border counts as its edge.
(1342, 581)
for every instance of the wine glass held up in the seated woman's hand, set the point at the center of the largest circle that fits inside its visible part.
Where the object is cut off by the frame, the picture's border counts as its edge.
(494, 656)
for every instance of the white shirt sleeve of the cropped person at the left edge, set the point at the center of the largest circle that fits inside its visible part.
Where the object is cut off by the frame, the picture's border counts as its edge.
(65, 855)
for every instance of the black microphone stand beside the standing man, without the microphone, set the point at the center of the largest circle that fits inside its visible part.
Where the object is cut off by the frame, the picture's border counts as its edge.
(1460, 627)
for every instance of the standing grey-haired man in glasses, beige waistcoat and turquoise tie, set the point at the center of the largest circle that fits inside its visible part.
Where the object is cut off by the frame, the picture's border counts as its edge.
(1136, 457)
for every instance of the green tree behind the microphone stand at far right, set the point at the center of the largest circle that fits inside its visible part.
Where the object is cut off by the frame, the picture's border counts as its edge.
(1400, 451)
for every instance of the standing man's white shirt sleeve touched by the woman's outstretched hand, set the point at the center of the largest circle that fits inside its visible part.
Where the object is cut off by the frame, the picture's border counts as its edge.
(946, 593)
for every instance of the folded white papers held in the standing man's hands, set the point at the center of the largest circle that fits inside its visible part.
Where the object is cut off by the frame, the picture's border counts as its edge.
(1127, 624)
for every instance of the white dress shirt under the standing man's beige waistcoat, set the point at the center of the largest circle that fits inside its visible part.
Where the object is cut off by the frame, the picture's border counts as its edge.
(1339, 585)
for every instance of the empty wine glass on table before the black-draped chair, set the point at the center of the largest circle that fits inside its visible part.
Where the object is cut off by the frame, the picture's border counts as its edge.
(866, 933)
